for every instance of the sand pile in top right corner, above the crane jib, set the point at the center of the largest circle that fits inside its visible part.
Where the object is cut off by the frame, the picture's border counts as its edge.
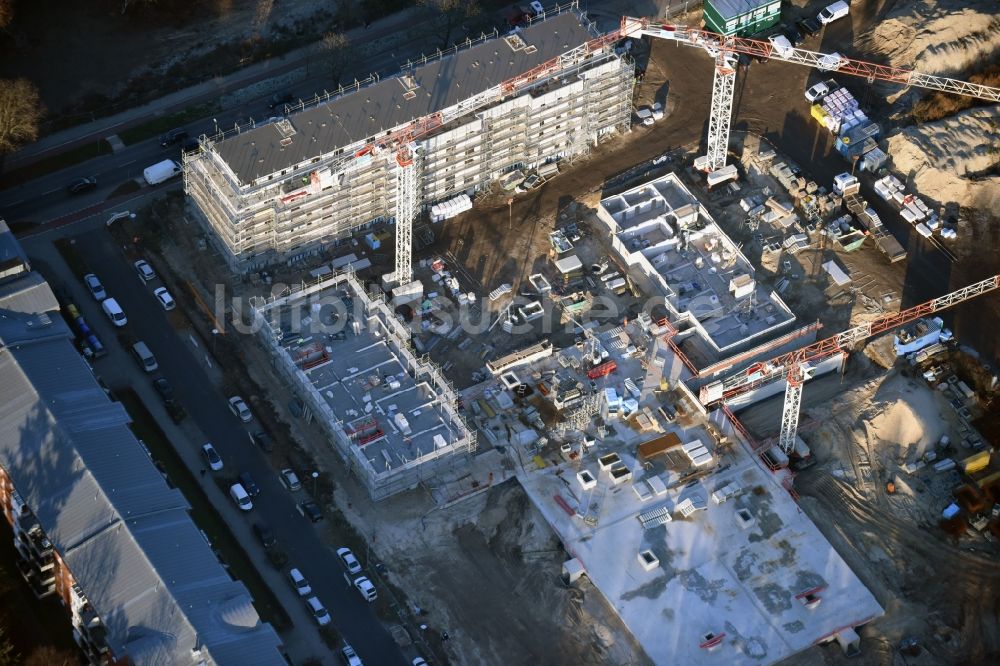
(937, 36)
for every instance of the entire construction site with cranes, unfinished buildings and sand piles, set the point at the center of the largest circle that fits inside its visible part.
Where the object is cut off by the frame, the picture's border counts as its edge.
(692, 381)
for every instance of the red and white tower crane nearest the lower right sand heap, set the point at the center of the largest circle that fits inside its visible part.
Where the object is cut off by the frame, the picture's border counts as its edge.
(797, 365)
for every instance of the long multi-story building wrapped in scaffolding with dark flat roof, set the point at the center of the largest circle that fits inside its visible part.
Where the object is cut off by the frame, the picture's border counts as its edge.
(546, 92)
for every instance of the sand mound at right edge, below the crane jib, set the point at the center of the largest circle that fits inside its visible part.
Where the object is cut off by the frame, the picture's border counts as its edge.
(942, 159)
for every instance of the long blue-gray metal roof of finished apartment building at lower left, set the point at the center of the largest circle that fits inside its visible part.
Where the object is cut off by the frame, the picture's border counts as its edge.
(127, 537)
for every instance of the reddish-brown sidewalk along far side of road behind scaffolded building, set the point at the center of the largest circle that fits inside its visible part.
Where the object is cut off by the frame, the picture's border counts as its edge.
(205, 91)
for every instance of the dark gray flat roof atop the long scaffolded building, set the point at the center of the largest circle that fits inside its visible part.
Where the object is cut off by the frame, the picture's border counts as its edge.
(382, 106)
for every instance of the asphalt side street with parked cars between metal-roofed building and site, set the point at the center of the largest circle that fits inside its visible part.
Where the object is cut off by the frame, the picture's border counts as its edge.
(353, 617)
